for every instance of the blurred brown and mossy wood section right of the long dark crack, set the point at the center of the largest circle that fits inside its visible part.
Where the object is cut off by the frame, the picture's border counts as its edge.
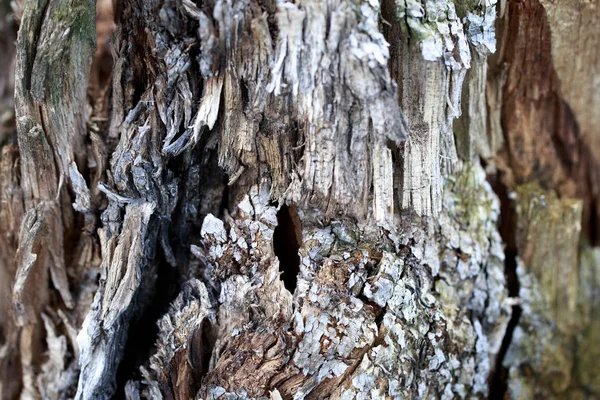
(549, 163)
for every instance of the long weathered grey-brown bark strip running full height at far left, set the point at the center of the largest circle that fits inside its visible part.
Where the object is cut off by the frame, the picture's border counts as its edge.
(54, 37)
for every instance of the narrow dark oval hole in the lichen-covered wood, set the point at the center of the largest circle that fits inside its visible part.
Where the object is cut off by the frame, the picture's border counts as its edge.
(287, 239)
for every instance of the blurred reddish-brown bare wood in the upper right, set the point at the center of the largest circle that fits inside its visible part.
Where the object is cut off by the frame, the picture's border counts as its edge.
(543, 142)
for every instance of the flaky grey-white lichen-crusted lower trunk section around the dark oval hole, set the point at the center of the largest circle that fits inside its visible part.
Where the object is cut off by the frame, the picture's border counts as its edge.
(375, 314)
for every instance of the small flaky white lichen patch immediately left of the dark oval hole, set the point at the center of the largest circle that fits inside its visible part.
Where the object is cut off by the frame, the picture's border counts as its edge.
(239, 253)
